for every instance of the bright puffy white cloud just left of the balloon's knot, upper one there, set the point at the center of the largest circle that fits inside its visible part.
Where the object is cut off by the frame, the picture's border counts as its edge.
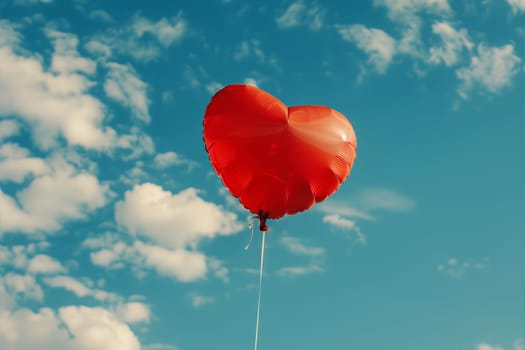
(176, 220)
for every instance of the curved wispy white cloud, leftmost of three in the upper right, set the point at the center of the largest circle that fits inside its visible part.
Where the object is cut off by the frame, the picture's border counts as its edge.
(378, 45)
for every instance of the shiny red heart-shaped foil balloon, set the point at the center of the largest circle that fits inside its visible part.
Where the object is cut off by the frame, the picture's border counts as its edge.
(276, 160)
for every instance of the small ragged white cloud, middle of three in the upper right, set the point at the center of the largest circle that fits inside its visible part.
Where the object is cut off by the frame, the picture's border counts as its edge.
(453, 44)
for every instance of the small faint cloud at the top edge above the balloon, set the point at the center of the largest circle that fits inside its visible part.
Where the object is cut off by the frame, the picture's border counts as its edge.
(301, 13)
